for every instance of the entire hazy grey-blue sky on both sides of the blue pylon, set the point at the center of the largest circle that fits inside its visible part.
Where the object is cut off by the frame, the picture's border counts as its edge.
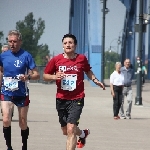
(56, 16)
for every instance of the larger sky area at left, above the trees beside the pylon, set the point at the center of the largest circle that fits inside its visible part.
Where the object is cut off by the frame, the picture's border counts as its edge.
(54, 12)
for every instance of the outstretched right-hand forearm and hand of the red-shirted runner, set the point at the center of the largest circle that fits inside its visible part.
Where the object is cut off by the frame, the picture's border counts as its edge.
(92, 77)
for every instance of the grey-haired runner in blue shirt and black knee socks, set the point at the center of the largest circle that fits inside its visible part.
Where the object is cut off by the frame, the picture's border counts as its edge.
(14, 65)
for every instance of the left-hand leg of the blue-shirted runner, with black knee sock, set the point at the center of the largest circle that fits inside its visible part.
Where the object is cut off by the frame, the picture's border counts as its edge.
(7, 107)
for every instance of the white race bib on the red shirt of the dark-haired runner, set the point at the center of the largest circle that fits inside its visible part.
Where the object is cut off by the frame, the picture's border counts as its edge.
(69, 82)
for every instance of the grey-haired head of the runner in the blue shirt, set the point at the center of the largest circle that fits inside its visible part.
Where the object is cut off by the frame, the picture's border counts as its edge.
(14, 40)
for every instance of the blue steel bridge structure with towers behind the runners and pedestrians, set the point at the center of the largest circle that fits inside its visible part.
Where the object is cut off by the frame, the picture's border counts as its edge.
(86, 24)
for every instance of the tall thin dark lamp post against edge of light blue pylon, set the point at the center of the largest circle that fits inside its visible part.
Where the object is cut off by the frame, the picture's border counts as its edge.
(105, 11)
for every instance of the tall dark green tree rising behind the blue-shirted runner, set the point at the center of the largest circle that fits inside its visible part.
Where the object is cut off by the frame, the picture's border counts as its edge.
(32, 31)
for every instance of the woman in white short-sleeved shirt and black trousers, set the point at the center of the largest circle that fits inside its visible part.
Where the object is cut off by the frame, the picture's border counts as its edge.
(116, 85)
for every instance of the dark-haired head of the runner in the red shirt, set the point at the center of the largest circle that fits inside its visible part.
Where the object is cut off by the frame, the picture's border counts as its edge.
(69, 43)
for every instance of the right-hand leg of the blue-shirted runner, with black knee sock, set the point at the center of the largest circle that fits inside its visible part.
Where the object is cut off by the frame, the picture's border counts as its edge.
(23, 125)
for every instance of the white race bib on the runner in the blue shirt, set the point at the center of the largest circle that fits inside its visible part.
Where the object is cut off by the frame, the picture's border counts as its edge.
(10, 84)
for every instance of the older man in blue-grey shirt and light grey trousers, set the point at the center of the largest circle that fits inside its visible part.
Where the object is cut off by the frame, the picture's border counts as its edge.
(127, 91)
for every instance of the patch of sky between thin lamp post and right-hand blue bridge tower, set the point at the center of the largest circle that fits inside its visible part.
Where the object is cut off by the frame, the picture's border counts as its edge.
(114, 23)
